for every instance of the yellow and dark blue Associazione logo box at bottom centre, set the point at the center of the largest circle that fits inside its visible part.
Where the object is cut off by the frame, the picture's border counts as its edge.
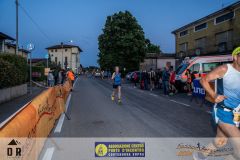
(119, 149)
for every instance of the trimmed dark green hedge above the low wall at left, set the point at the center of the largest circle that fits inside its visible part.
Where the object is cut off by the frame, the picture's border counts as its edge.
(13, 70)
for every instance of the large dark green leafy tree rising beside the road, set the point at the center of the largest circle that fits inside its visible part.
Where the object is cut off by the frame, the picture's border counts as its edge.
(122, 42)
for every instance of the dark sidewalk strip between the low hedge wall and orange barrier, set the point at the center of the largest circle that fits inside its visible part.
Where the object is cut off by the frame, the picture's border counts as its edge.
(10, 107)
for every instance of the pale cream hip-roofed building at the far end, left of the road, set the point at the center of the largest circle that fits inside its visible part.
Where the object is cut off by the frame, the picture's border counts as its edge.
(67, 56)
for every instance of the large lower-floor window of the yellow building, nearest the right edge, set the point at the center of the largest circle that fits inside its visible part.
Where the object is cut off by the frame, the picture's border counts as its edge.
(224, 41)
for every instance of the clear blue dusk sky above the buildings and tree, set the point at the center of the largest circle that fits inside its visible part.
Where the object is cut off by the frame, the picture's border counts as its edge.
(82, 21)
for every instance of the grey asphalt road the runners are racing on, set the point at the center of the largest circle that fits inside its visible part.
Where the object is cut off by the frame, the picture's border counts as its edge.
(142, 114)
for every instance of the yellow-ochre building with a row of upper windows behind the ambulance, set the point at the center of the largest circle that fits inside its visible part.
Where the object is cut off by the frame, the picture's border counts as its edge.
(214, 34)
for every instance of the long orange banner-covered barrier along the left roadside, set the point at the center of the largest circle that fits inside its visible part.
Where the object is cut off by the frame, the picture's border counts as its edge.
(36, 120)
